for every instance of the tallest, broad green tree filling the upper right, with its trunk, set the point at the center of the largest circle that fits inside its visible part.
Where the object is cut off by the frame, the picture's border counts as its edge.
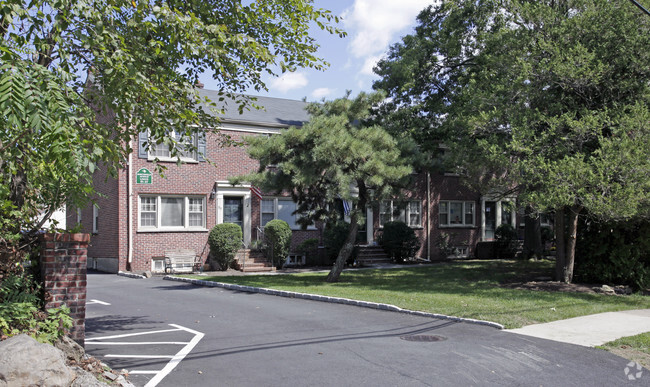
(548, 99)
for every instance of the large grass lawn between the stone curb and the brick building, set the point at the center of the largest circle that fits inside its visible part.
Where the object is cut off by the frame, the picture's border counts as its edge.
(465, 289)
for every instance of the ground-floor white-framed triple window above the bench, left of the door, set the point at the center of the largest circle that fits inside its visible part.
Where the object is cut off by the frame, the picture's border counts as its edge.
(171, 213)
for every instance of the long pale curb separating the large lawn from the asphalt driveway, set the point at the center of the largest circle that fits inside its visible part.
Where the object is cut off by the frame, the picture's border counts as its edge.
(337, 300)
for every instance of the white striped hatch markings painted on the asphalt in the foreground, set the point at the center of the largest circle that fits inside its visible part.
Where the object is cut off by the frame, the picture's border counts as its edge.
(174, 359)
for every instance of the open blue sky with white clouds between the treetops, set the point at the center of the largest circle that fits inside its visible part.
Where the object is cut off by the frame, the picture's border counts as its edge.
(372, 26)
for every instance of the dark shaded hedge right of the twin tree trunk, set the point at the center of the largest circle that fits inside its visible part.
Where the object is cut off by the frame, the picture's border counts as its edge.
(614, 253)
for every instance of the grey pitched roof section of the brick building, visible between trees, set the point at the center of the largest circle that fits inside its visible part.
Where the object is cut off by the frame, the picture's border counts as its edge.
(275, 111)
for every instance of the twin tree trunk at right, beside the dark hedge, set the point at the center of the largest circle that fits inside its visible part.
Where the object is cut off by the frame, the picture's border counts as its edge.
(566, 238)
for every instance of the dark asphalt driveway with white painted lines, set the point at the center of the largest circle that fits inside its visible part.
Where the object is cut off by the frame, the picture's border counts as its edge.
(210, 336)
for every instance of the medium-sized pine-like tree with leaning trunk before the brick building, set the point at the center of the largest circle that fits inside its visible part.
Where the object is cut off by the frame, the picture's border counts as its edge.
(337, 155)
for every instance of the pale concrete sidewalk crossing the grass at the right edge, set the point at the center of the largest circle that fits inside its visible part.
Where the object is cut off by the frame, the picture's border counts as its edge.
(592, 330)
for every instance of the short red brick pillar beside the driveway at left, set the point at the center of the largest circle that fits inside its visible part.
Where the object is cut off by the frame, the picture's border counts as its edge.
(63, 270)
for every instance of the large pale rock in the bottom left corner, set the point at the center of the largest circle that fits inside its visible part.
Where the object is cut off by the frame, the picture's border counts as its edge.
(26, 362)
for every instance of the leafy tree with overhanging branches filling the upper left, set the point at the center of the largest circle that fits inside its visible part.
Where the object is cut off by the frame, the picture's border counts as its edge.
(79, 78)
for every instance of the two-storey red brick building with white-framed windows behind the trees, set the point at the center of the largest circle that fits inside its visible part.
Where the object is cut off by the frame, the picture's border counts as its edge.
(141, 214)
